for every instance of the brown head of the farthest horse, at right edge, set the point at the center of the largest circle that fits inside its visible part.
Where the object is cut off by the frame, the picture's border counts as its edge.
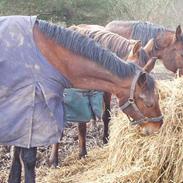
(169, 48)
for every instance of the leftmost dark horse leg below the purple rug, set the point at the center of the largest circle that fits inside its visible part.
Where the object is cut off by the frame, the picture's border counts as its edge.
(15, 171)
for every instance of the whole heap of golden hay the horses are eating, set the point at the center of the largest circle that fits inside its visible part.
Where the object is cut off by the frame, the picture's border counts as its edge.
(131, 157)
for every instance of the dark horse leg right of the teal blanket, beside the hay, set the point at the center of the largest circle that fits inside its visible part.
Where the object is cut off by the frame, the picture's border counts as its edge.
(106, 117)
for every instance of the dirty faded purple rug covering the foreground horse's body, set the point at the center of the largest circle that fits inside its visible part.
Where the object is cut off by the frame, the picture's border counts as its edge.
(31, 90)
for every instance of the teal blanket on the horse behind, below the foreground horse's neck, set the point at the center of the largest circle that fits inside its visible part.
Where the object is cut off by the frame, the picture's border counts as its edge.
(91, 103)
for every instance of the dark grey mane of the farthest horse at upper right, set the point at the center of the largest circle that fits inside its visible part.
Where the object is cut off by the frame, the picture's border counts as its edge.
(144, 31)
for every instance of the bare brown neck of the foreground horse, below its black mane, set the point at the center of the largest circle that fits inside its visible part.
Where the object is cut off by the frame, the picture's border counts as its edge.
(81, 72)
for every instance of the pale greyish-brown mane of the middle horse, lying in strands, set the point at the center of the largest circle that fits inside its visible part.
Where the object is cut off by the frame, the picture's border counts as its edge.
(117, 44)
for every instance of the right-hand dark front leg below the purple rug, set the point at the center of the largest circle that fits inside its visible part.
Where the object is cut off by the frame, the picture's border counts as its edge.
(29, 160)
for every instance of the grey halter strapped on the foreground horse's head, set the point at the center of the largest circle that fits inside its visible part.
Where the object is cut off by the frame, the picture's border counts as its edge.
(131, 102)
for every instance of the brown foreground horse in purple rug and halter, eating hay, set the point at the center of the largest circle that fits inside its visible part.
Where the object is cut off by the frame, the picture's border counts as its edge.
(38, 61)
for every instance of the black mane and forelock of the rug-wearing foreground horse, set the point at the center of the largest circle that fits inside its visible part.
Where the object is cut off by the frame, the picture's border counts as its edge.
(88, 48)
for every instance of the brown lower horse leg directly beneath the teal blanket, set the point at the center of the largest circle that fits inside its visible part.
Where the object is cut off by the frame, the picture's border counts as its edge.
(82, 140)
